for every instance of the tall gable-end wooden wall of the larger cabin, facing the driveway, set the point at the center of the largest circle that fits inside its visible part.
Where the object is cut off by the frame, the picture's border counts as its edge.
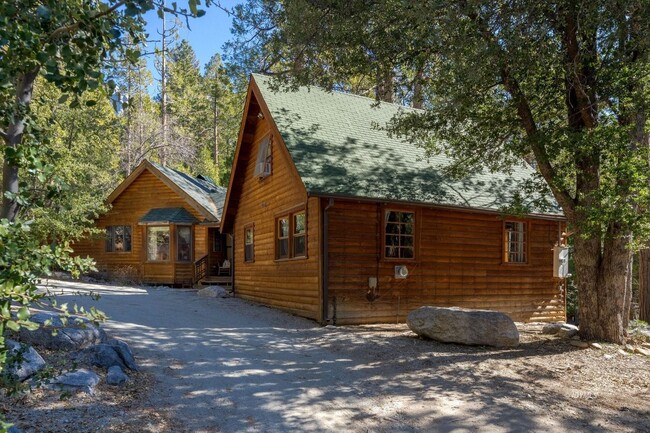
(291, 284)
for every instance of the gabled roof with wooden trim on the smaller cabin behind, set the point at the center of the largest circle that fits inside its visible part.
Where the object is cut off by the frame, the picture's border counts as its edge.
(204, 196)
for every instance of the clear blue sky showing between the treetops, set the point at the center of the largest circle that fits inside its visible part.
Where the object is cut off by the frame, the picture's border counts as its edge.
(206, 34)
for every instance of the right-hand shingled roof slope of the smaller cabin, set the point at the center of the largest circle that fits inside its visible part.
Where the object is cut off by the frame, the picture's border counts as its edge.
(202, 190)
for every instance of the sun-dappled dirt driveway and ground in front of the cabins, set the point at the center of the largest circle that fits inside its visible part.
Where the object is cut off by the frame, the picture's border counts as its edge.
(226, 365)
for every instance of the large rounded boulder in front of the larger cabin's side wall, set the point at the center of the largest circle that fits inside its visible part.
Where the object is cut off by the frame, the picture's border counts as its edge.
(464, 326)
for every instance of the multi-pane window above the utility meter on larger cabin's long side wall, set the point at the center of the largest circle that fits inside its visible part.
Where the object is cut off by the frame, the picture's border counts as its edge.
(399, 229)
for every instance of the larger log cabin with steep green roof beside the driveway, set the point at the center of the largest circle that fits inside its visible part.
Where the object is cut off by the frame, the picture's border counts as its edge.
(336, 221)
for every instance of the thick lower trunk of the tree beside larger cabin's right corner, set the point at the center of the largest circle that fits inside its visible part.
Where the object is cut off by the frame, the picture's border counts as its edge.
(602, 274)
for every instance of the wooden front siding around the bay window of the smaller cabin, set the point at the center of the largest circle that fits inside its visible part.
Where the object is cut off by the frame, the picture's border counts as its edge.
(145, 193)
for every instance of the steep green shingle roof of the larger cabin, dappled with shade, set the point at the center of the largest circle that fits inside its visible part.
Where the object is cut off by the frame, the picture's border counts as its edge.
(338, 150)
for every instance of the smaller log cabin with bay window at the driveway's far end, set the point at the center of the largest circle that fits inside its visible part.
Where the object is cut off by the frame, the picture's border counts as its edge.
(162, 228)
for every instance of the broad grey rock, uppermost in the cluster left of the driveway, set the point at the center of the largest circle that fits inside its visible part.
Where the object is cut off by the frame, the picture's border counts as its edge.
(78, 333)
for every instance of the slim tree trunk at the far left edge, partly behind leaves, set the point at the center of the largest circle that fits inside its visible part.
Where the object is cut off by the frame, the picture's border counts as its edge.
(24, 91)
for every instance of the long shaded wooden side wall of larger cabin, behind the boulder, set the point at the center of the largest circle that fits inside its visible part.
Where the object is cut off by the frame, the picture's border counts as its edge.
(459, 262)
